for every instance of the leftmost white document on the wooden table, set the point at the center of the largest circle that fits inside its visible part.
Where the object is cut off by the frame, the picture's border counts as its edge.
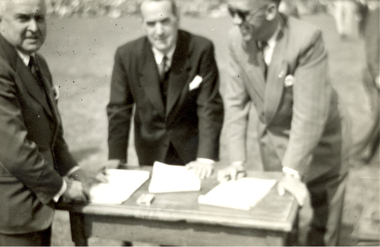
(120, 186)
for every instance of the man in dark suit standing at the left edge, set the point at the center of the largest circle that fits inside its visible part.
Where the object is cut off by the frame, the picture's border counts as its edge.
(34, 156)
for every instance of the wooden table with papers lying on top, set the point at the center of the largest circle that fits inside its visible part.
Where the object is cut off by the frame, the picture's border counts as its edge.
(178, 219)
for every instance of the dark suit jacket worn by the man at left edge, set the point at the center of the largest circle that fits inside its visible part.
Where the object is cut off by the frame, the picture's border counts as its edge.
(33, 153)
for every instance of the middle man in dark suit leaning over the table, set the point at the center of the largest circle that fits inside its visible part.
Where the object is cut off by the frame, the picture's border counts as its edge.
(178, 109)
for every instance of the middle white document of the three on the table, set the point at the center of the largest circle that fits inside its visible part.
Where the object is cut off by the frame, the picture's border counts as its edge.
(171, 178)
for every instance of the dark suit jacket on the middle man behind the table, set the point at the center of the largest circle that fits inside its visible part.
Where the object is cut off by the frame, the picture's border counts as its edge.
(192, 119)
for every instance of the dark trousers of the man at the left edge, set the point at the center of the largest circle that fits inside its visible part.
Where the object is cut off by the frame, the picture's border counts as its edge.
(41, 238)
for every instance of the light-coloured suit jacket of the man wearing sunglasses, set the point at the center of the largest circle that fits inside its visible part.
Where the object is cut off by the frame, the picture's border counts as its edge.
(299, 125)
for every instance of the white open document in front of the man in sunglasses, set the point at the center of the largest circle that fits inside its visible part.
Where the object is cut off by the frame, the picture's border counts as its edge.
(240, 194)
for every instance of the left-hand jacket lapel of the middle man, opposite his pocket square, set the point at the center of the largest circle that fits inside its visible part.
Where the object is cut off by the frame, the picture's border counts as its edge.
(149, 79)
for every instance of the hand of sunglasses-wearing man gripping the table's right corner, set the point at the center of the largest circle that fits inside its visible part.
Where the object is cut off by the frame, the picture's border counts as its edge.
(294, 186)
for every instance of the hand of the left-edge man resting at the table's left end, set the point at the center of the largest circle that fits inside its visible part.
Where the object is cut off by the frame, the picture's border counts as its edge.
(75, 191)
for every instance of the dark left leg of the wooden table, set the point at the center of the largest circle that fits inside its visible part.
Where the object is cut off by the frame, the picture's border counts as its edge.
(78, 231)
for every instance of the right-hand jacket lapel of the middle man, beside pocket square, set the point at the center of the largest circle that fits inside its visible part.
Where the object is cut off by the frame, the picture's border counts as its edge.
(178, 73)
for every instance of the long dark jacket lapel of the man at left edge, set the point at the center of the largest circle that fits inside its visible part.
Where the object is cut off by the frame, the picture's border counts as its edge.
(32, 86)
